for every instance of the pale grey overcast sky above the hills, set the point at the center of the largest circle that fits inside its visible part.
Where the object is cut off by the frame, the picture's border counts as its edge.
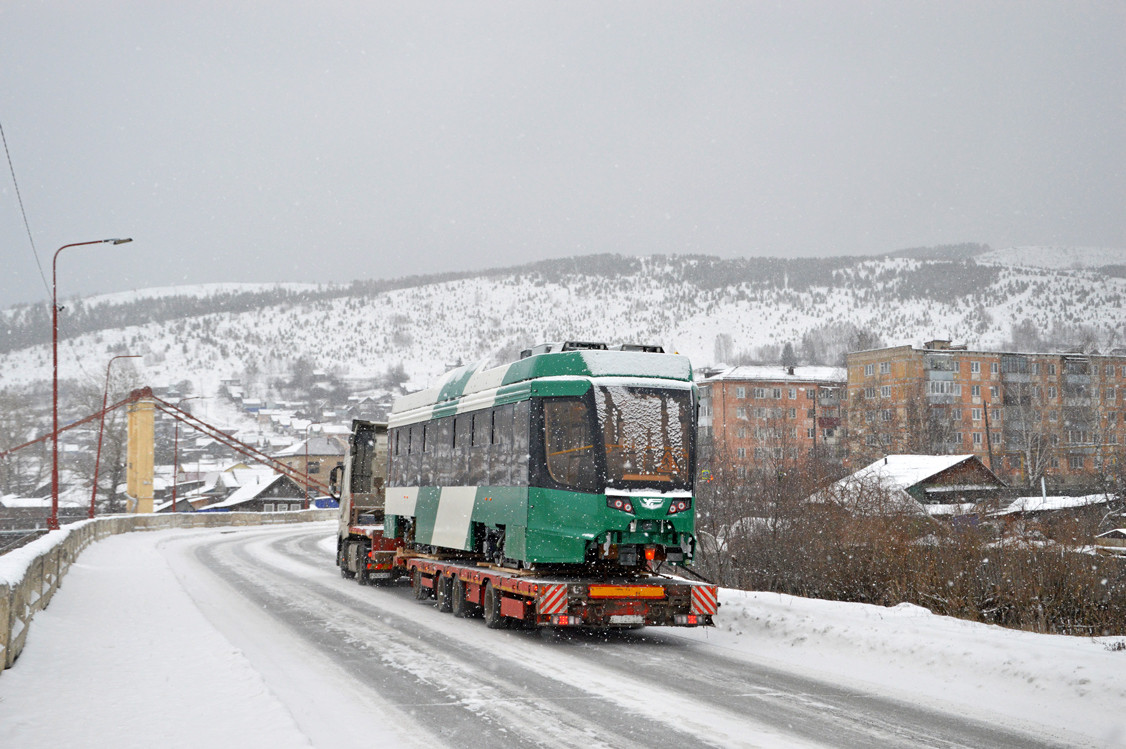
(336, 141)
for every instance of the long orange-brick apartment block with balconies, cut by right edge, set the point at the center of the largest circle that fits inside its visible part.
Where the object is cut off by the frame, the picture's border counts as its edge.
(1024, 415)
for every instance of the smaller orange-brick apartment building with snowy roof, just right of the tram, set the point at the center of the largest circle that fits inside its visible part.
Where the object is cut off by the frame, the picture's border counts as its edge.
(772, 417)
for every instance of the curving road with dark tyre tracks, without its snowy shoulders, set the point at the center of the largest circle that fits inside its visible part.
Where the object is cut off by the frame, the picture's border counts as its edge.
(415, 676)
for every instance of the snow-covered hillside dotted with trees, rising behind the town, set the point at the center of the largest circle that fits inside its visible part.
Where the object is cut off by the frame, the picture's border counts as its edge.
(683, 304)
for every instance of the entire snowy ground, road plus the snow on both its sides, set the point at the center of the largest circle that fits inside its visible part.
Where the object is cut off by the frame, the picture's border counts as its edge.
(251, 639)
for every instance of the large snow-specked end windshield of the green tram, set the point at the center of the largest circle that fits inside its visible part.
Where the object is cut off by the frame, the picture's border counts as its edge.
(648, 436)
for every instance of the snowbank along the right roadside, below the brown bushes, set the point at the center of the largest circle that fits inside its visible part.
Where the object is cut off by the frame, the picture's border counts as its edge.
(1074, 685)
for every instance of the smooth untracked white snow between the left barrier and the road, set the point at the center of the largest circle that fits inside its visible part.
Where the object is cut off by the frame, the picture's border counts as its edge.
(123, 658)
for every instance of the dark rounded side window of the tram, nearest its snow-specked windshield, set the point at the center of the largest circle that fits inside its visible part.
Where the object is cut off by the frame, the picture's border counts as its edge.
(570, 444)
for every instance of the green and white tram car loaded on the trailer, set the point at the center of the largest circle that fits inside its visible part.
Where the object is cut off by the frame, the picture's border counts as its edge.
(574, 456)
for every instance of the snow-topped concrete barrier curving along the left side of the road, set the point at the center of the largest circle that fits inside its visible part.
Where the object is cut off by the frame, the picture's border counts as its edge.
(32, 575)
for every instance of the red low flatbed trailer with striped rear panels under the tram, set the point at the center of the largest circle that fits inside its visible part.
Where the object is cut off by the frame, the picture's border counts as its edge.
(508, 598)
